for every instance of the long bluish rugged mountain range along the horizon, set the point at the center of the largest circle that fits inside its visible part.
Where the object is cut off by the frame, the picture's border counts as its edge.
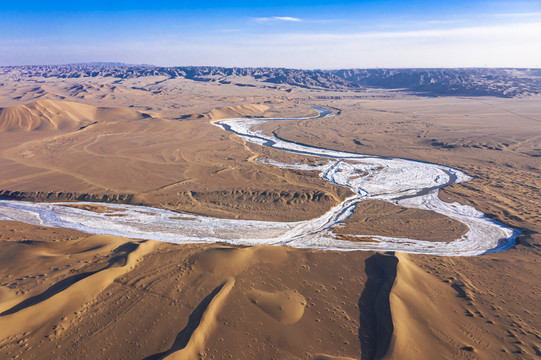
(501, 82)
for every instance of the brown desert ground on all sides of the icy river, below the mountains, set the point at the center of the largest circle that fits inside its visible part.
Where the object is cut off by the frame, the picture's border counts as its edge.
(149, 141)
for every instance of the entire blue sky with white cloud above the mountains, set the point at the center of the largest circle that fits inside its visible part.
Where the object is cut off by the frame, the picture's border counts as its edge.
(301, 34)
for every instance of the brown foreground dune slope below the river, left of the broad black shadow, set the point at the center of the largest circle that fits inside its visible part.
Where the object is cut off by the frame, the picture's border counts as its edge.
(176, 301)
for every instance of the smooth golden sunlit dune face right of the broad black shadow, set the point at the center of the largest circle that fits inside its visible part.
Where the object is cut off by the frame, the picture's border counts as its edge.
(418, 302)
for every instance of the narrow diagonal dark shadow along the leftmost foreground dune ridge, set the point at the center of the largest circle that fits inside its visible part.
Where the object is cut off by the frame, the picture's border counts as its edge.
(115, 261)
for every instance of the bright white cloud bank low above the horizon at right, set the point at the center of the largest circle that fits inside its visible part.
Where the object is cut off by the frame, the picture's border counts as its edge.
(511, 45)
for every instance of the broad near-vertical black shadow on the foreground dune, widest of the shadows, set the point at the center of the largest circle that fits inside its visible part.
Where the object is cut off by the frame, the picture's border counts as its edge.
(376, 323)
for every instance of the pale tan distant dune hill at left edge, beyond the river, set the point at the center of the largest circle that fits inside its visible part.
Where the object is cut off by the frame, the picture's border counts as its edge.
(59, 115)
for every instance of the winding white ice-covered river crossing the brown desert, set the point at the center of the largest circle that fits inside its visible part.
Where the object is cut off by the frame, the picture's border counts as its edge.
(407, 183)
